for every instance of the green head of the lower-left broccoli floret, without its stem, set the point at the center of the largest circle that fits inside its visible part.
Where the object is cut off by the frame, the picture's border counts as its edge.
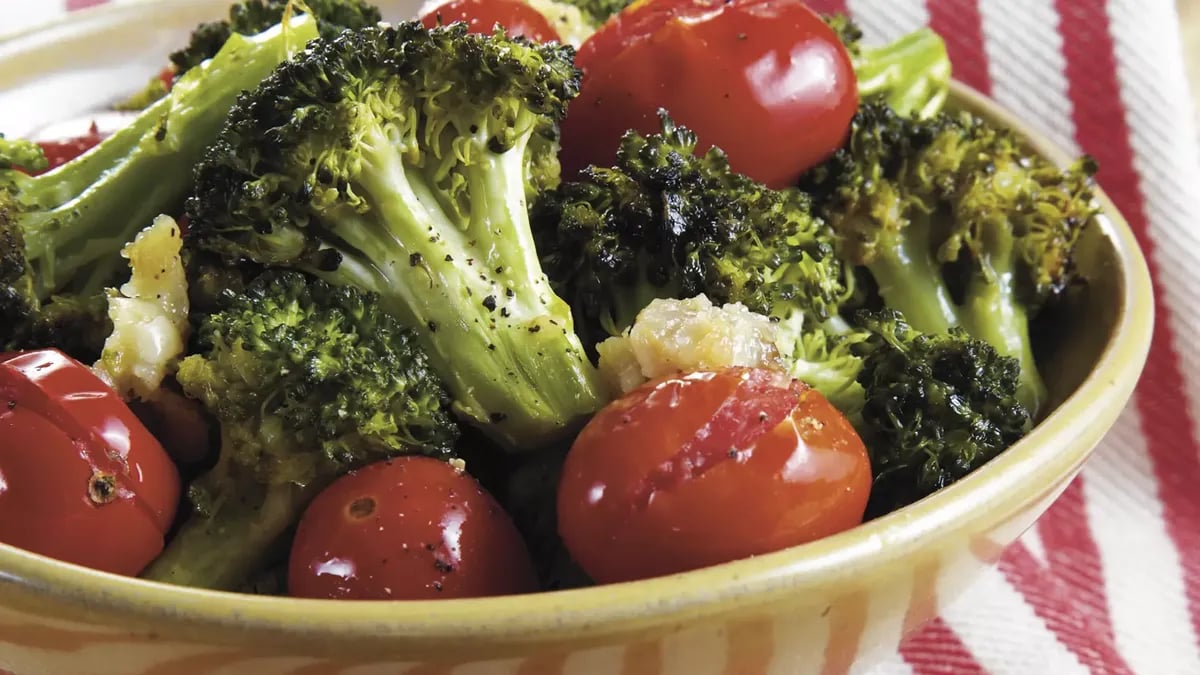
(311, 380)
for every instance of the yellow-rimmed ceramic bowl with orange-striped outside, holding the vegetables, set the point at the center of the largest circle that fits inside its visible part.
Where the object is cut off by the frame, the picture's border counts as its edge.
(826, 607)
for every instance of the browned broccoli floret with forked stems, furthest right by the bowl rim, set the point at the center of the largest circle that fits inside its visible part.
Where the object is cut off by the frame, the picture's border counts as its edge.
(959, 224)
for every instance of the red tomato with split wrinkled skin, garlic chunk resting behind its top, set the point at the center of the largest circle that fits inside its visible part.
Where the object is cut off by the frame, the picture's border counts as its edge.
(709, 468)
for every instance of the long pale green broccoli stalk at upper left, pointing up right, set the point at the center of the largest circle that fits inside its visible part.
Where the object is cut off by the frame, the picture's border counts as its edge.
(143, 171)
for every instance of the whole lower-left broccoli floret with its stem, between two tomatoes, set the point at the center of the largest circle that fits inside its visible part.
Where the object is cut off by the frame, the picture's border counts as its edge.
(308, 381)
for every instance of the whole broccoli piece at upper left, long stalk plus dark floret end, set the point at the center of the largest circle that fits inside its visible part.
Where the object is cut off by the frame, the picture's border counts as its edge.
(62, 232)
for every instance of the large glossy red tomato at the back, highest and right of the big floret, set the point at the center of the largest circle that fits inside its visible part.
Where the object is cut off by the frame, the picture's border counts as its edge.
(766, 81)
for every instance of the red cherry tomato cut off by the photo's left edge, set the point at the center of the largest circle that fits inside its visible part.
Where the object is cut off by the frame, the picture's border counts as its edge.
(81, 479)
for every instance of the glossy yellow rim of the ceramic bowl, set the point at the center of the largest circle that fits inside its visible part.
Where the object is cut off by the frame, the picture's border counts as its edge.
(1053, 447)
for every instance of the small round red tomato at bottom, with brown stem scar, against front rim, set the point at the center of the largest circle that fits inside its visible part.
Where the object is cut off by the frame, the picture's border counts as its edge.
(407, 529)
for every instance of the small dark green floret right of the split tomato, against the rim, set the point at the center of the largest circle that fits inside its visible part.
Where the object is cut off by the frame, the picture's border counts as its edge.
(937, 409)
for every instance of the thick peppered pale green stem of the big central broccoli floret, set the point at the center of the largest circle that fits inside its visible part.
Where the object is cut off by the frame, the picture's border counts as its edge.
(501, 339)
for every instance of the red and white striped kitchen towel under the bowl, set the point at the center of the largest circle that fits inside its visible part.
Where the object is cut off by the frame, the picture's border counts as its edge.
(1109, 581)
